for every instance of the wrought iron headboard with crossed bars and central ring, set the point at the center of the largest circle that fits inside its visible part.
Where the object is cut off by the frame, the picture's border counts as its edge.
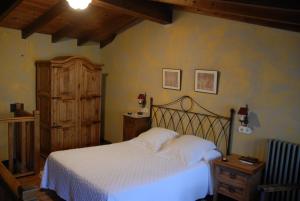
(205, 124)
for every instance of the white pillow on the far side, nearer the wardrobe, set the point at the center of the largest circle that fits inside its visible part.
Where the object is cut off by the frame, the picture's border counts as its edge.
(155, 137)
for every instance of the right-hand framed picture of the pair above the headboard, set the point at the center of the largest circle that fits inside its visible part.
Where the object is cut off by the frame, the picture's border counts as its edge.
(206, 81)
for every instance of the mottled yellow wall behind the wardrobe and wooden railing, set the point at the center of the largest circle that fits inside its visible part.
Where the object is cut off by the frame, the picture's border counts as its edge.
(17, 69)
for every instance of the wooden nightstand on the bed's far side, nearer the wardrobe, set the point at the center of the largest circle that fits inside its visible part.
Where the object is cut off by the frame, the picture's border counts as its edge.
(134, 124)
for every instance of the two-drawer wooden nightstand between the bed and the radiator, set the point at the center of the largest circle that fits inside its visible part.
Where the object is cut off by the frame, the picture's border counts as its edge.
(236, 180)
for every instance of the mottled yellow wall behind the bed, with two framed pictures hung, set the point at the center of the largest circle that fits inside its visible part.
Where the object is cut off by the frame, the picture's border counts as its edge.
(259, 66)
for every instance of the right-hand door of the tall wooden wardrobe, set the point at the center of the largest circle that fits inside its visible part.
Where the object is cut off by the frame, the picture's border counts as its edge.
(90, 97)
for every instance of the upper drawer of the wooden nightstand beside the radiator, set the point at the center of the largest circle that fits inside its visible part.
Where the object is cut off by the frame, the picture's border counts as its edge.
(232, 177)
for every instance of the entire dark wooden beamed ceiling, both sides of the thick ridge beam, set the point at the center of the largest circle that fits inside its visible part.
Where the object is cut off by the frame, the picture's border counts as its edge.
(103, 20)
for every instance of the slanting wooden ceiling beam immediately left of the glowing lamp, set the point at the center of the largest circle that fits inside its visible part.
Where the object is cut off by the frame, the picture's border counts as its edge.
(44, 19)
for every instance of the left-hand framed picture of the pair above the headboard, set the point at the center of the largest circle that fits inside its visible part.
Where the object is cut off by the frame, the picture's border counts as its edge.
(171, 79)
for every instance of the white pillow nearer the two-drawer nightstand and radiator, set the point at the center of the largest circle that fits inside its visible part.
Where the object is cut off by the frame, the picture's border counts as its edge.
(189, 148)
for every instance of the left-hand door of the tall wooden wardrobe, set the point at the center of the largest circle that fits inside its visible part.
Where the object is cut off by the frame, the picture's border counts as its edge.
(64, 106)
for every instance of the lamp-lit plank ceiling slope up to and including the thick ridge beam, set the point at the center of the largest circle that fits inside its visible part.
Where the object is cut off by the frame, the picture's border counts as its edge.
(100, 22)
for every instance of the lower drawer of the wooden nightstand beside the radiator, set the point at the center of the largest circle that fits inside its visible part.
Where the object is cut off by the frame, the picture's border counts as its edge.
(231, 191)
